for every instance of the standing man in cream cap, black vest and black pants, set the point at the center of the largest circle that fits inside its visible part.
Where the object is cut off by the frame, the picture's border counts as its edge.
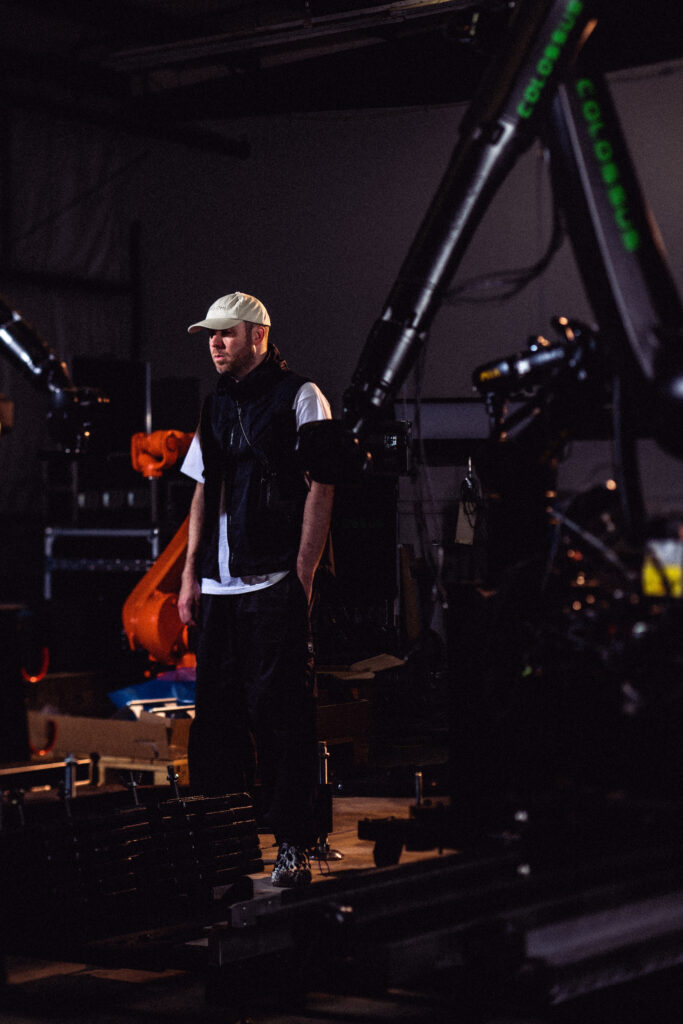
(258, 531)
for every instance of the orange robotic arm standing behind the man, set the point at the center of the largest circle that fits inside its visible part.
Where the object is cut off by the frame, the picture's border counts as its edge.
(150, 613)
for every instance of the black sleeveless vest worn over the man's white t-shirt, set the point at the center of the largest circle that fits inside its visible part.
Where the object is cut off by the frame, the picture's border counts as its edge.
(248, 435)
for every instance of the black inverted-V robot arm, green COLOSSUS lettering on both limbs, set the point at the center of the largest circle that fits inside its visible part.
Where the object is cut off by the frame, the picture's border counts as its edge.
(620, 257)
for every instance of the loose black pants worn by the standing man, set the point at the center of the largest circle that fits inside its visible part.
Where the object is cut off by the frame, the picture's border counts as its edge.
(255, 705)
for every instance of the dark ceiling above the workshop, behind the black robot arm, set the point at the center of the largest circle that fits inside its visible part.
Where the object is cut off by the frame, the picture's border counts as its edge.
(172, 67)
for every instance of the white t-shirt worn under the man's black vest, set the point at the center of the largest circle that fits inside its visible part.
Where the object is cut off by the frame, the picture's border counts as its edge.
(310, 405)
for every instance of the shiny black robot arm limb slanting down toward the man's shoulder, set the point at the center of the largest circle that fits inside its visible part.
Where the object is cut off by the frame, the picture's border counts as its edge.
(502, 121)
